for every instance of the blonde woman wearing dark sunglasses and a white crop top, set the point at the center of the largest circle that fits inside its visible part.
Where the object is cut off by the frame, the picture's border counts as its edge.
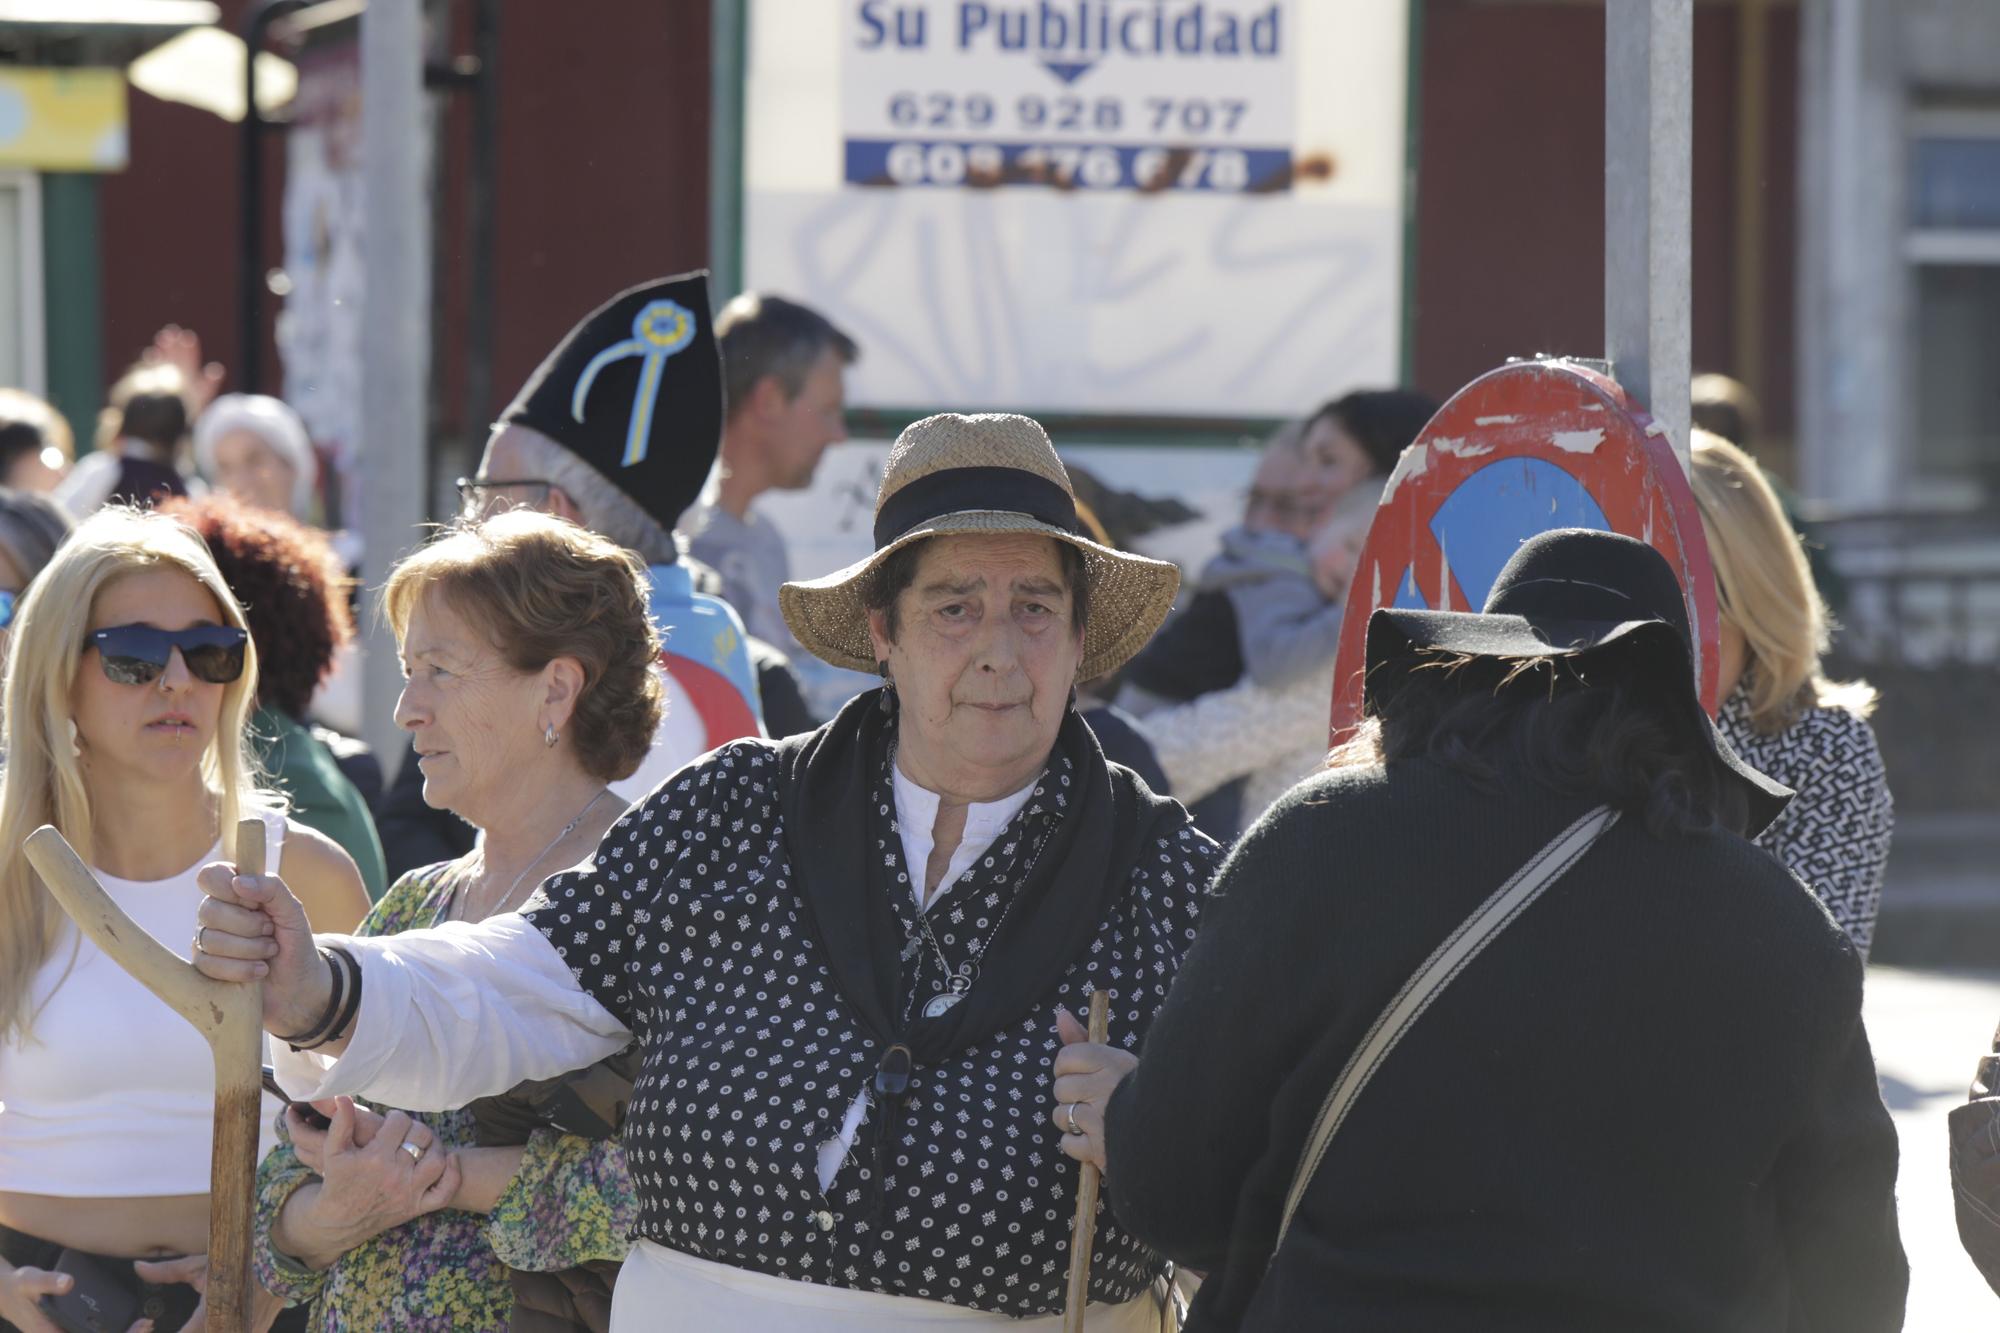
(129, 680)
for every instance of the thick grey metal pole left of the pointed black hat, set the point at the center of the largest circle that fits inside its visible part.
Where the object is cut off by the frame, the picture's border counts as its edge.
(395, 331)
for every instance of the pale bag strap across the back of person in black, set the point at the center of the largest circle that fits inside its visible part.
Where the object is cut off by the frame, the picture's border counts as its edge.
(1439, 970)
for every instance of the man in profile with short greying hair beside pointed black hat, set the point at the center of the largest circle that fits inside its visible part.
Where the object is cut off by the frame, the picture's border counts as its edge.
(783, 367)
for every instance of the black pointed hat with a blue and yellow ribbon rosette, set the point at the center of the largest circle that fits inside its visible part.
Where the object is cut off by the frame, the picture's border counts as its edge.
(637, 393)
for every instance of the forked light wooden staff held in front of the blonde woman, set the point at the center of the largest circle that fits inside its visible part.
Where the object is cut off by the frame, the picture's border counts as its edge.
(231, 1018)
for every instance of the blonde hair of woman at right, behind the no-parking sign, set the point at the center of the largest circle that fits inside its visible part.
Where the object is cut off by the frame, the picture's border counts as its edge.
(1765, 589)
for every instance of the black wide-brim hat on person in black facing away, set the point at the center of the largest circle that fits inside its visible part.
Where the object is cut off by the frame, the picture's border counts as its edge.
(1573, 593)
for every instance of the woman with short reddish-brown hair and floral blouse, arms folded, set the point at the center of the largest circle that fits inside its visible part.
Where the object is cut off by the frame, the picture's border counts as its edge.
(531, 686)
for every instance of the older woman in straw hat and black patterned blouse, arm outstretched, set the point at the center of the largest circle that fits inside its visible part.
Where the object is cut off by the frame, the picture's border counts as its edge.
(849, 956)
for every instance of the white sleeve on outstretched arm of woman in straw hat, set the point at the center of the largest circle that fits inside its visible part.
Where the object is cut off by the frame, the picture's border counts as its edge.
(455, 1014)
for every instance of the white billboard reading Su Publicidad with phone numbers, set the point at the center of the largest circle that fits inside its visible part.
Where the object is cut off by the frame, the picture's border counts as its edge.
(1127, 209)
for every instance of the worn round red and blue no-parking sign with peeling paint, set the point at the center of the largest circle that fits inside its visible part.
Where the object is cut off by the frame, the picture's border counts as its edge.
(1521, 451)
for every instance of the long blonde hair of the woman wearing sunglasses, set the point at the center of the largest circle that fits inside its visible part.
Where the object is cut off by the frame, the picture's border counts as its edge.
(43, 782)
